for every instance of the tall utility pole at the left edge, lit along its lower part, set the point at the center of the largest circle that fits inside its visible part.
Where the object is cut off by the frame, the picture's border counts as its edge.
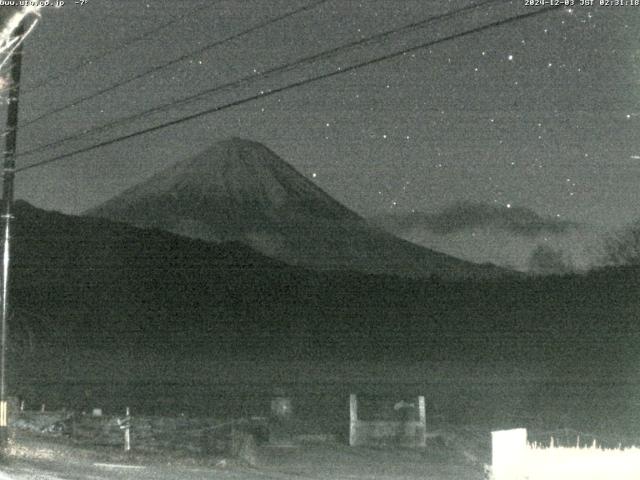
(8, 174)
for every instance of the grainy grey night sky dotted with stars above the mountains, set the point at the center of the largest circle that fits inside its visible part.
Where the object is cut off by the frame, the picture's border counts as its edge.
(541, 113)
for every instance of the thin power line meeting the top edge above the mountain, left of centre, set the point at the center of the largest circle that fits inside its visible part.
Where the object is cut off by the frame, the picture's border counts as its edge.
(174, 61)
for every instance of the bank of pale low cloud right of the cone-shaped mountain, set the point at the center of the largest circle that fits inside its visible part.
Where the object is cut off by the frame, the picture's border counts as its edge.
(515, 237)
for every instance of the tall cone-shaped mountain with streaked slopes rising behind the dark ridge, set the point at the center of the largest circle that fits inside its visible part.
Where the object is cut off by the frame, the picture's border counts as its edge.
(241, 191)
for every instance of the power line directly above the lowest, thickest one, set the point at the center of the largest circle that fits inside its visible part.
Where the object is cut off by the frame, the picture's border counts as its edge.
(279, 69)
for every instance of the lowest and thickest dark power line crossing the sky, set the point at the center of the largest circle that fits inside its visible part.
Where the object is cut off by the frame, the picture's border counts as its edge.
(290, 86)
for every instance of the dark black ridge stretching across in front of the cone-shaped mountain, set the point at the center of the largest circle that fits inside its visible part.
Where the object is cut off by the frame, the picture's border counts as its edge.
(85, 283)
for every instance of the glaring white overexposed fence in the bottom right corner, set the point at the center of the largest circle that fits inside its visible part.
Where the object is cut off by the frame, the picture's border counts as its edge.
(514, 458)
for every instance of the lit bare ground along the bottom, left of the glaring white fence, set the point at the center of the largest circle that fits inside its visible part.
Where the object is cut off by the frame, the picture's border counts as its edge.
(447, 457)
